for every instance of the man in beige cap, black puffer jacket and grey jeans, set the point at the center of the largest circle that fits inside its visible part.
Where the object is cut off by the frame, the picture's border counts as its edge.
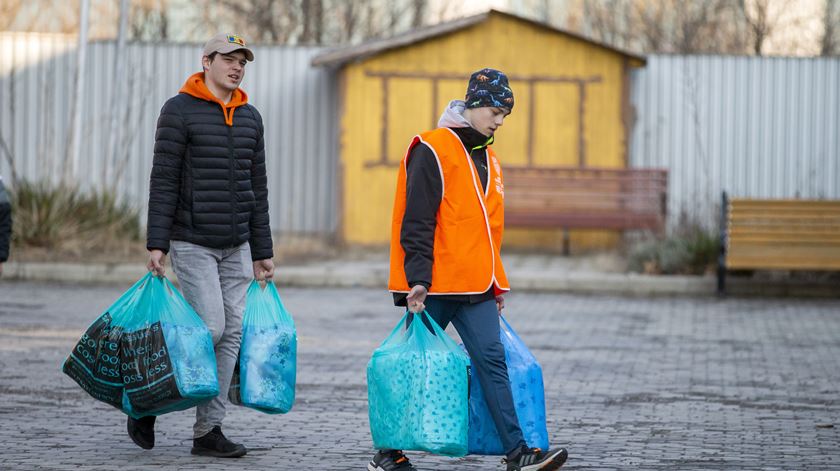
(208, 208)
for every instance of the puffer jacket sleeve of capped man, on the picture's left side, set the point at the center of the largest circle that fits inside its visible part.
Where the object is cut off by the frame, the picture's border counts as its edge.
(165, 182)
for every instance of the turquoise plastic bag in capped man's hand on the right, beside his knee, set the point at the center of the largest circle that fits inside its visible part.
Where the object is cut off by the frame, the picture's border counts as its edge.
(264, 378)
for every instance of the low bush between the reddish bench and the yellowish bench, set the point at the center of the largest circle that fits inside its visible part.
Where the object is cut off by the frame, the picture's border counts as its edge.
(691, 250)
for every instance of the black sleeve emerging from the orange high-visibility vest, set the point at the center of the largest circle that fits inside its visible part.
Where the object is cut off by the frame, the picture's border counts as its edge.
(424, 191)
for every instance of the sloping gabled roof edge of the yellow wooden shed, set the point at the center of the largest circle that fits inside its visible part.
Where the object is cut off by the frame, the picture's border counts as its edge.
(340, 56)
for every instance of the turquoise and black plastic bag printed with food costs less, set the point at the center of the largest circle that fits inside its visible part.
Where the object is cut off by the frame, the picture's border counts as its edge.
(148, 354)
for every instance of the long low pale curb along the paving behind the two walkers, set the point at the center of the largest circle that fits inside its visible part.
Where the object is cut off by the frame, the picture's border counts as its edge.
(353, 274)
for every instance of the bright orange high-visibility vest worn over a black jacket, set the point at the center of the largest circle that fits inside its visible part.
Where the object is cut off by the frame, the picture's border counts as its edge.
(470, 221)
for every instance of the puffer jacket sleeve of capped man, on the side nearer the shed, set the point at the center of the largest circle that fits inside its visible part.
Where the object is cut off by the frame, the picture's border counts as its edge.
(260, 241)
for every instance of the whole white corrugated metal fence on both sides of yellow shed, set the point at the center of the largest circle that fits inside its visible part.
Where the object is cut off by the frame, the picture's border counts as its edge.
(755, 127)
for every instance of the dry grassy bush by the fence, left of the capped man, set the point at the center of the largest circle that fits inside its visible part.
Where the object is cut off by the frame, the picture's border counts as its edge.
(62, 218)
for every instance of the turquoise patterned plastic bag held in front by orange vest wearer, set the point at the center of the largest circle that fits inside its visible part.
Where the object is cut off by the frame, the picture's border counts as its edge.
(417, 390)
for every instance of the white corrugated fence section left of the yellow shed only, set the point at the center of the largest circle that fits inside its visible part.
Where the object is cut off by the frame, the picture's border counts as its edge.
(298, 104)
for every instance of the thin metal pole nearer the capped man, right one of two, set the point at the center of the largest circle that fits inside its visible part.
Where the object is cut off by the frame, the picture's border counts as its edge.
(117, 101)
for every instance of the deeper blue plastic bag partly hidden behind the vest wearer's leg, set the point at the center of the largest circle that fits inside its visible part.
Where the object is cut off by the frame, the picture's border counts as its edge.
(526, 384)
